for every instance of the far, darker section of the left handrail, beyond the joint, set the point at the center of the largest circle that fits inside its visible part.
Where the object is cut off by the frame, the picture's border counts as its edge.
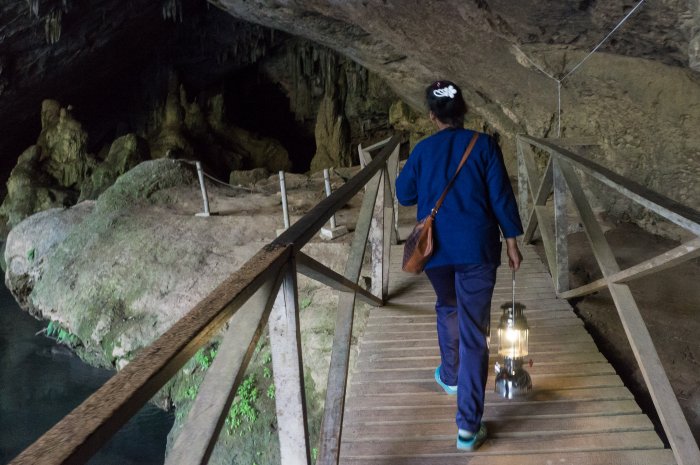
(303, 230)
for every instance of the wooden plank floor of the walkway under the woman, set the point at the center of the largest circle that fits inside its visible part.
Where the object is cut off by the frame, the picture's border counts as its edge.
(578, 413)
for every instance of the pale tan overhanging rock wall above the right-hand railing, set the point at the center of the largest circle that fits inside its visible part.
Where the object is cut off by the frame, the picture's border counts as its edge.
(639, 96)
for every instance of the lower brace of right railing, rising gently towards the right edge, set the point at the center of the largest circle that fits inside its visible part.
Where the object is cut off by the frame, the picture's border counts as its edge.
(673, 257)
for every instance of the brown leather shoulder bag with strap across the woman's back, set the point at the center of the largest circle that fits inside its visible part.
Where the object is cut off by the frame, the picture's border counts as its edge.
(419, 245)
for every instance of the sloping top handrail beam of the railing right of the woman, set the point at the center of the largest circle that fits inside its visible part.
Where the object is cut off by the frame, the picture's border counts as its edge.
(682, 215)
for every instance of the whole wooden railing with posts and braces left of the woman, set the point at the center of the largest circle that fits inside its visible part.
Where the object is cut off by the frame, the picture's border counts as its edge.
(263, 292)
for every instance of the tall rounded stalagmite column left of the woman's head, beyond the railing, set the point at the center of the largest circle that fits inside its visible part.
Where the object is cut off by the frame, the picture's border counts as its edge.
(332, 136)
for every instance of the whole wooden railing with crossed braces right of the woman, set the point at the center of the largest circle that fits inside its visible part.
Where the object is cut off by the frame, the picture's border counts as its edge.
(560, 176)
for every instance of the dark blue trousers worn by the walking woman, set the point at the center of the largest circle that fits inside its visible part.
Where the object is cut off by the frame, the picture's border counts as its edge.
(463, 309)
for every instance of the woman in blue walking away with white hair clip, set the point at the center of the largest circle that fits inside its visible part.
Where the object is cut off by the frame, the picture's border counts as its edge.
(467, 253)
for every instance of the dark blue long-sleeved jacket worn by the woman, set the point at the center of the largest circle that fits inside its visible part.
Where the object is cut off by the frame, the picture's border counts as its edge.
(467, 225)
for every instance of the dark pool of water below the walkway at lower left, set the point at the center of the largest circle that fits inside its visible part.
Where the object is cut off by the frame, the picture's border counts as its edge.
(40, 382)
